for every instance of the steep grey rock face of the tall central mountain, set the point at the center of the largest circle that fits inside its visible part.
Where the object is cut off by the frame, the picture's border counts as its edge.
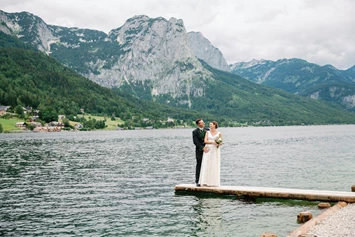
(154, 52)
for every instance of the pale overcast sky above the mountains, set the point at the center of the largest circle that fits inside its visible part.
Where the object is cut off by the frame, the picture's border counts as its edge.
(319, 31)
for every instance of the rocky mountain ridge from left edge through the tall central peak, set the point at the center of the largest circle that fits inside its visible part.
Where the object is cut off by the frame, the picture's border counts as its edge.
(152, 54)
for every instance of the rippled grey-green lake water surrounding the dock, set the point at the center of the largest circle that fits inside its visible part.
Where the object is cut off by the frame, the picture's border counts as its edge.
(121, 183)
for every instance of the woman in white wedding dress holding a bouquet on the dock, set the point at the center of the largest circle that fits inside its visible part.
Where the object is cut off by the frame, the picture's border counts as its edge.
(211, 161)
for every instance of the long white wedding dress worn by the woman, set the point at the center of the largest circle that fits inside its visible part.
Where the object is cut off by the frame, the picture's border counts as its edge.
(211, 164)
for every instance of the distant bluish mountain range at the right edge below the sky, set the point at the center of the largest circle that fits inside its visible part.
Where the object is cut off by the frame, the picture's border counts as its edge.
(301, 77)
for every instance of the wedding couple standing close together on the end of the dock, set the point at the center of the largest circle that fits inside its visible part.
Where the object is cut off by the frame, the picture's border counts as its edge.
(208, 154)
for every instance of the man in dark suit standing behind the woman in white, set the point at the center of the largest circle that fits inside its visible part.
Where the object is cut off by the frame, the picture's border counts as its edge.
(198, 136)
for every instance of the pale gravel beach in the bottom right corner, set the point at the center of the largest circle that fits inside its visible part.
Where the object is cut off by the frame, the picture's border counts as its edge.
(339, 224)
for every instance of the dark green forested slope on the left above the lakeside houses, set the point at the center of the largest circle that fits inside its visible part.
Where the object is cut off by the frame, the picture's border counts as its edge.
(30, 78)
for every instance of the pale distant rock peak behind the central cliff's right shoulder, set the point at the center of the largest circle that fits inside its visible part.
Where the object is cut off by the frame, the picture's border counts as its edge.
(204, 50)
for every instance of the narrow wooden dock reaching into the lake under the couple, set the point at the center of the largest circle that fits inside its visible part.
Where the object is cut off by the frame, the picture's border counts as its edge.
(264, 192)
